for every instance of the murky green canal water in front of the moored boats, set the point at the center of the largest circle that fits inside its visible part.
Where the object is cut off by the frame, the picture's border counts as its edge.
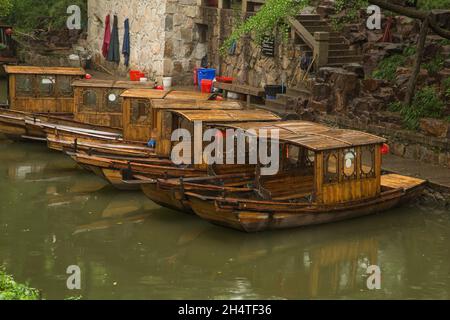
(54, 215)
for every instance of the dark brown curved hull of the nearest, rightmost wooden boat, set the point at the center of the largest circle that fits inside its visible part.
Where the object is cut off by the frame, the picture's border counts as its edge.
(235, 215)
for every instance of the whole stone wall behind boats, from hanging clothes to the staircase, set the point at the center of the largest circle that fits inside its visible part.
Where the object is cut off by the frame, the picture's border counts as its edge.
(171, 37)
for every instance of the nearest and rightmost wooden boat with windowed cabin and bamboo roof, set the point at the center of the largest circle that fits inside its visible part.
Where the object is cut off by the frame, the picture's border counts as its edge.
(326, 175)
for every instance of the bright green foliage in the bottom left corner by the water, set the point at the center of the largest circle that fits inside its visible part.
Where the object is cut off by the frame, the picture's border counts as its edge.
(11, 290)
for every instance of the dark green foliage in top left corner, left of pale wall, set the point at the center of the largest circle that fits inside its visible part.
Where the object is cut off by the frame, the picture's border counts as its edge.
(27, 15)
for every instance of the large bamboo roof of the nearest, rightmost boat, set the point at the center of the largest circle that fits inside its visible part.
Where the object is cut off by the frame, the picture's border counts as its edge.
(313, 136)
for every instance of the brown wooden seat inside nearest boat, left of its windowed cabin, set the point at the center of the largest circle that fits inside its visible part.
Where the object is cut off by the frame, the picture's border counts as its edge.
(288, 186)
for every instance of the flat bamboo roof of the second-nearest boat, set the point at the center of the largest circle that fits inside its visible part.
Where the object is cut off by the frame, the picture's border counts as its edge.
(227, 115)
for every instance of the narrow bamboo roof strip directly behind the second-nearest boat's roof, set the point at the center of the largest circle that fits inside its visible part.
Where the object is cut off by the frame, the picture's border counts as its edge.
(196, 105)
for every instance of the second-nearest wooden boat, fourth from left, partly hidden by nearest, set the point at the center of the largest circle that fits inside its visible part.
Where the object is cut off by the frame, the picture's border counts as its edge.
(159, 165)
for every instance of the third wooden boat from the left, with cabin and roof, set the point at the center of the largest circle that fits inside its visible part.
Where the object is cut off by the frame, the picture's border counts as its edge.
(143, 112)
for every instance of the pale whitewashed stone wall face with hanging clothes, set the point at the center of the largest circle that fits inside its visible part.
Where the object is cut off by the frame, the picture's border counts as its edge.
(147, 27)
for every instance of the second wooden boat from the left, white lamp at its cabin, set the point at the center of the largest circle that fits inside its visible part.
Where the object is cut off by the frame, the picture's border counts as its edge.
(96, 106)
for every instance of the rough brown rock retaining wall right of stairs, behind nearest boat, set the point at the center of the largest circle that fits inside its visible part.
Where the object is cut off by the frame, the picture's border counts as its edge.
(343, 97)
